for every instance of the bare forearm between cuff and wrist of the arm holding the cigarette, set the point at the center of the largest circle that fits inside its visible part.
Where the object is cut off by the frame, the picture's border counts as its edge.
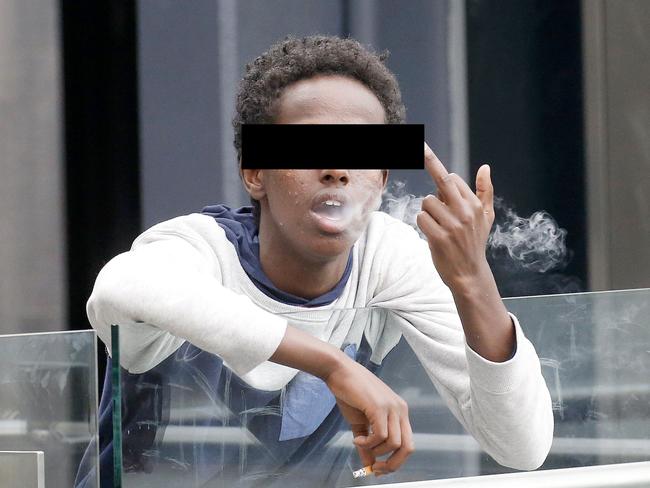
(302, 351)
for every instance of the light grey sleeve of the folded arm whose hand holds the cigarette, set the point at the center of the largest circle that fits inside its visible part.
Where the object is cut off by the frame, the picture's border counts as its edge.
(166, 290)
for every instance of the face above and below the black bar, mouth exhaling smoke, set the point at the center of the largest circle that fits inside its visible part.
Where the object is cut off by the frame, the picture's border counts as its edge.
(322, 212)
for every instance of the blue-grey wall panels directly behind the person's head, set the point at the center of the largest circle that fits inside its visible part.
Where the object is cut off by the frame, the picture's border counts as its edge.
(192, 55)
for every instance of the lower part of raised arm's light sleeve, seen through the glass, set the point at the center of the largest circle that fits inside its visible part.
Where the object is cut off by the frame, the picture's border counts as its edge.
(491, 403)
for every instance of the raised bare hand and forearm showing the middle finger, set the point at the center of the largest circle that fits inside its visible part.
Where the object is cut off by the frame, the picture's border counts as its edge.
(457, 224)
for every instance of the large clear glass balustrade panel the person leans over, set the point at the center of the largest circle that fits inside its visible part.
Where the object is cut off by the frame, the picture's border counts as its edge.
(191, 422)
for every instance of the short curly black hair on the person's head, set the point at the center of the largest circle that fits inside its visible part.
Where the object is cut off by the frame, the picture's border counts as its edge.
(293, 59)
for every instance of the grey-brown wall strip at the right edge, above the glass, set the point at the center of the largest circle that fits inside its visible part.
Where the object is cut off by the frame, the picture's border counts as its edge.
(617, 88)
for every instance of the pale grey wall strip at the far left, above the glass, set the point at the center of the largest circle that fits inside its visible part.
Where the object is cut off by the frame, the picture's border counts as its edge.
(32, 242)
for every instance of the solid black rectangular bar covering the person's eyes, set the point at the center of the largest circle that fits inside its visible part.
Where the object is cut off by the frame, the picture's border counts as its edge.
(340, 146)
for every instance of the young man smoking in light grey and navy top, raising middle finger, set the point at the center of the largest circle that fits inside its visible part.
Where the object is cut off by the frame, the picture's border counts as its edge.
(219, 281)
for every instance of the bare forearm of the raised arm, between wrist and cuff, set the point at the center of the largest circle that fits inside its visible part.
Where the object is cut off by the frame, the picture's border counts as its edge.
(488, 327)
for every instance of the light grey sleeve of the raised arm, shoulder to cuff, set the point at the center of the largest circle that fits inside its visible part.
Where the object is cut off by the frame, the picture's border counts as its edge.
(505, 406)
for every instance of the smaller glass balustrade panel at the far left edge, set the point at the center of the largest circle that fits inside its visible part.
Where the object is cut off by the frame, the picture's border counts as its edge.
(48, 402)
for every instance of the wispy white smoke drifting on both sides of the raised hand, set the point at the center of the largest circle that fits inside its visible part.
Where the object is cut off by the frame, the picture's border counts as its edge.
(536, 243)
